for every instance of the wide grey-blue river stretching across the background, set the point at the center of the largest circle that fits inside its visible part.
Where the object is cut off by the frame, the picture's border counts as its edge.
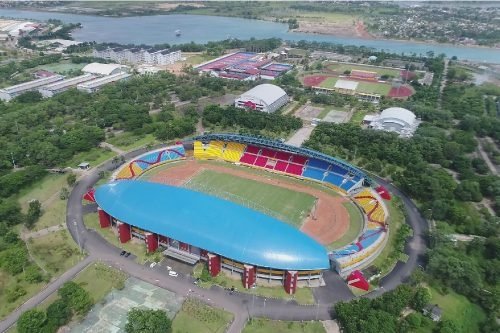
(201, 29)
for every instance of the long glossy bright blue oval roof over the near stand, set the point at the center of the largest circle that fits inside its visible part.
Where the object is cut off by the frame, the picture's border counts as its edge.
(216, 225)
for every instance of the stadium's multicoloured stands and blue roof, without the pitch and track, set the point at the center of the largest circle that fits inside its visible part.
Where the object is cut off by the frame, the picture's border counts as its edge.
(191, 226)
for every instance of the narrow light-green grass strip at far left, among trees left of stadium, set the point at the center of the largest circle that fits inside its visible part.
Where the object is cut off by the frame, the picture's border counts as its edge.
(41, 190)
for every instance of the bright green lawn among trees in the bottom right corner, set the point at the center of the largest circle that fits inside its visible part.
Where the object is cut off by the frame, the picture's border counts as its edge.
(457, 308)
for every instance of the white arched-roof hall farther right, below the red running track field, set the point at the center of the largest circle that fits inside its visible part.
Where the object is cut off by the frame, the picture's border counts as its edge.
(395, 119)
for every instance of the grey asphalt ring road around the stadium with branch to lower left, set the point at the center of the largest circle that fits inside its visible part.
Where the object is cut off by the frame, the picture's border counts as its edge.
(241, 305)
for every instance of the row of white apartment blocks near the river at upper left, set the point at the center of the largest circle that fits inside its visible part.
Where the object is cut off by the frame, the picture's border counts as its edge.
(139, 55)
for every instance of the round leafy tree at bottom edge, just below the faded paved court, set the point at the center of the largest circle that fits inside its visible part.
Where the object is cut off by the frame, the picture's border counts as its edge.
(148, 321)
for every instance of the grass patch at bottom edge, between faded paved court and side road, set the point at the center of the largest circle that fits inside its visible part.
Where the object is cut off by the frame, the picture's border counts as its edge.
(198, 317)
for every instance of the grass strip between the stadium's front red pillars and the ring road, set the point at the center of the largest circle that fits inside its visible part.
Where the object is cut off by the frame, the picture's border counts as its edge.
(301, 296)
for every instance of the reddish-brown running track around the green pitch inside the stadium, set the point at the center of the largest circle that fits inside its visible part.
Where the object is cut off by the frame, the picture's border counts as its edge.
(328, 221)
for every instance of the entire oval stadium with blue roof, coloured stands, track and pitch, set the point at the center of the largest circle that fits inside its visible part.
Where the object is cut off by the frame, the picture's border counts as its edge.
(176, 200)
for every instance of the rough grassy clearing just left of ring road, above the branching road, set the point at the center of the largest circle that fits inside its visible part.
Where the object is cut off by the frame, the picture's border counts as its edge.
(55, 252)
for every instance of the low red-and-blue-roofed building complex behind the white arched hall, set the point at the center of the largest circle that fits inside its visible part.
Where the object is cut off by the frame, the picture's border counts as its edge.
(247, 66)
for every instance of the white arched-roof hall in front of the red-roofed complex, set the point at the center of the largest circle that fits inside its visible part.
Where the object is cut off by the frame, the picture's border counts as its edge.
(264, 97)
